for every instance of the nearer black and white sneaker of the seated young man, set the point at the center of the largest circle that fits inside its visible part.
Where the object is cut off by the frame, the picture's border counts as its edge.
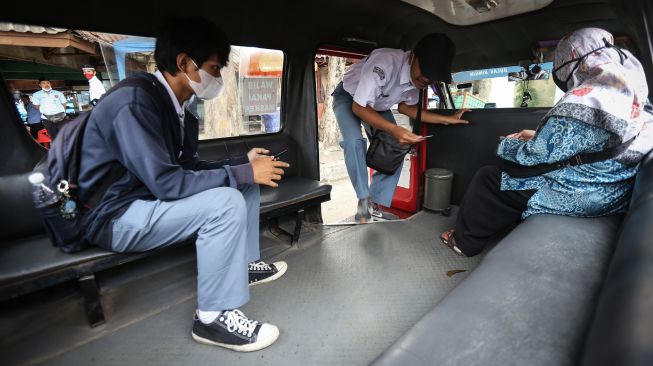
(232, 330)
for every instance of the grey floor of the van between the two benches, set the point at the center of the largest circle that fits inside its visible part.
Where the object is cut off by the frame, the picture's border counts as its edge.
(350, 292)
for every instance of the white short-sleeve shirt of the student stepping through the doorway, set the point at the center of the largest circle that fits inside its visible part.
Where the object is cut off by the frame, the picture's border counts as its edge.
(381, 80)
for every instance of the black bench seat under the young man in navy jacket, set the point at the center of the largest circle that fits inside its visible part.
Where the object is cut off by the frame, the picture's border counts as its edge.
(32, 263)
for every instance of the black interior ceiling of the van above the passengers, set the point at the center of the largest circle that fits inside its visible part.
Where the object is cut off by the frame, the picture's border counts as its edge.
(296, 25)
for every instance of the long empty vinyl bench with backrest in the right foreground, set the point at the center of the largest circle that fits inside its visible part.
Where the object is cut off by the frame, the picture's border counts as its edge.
(556, 291)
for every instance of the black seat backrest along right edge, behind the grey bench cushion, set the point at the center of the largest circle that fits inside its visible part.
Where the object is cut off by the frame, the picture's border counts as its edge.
(622, 328)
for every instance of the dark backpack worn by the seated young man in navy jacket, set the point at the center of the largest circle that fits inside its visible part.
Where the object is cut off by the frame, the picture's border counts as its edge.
(63, 219)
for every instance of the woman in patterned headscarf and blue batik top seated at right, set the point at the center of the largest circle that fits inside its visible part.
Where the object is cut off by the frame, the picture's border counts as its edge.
(603, 107)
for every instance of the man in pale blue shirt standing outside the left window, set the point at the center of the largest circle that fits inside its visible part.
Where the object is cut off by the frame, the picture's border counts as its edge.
(52, 105)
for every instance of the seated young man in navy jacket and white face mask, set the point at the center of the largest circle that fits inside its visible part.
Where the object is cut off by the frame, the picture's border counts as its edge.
(167, 195)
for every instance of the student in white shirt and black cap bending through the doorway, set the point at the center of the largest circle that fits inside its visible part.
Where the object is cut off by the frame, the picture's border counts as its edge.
(369, 89)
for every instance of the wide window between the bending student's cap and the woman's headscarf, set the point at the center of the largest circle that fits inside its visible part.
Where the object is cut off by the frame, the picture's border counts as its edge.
(505, 87)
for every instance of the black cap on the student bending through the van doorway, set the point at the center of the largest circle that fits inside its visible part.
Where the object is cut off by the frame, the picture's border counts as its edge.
(435, 53)
